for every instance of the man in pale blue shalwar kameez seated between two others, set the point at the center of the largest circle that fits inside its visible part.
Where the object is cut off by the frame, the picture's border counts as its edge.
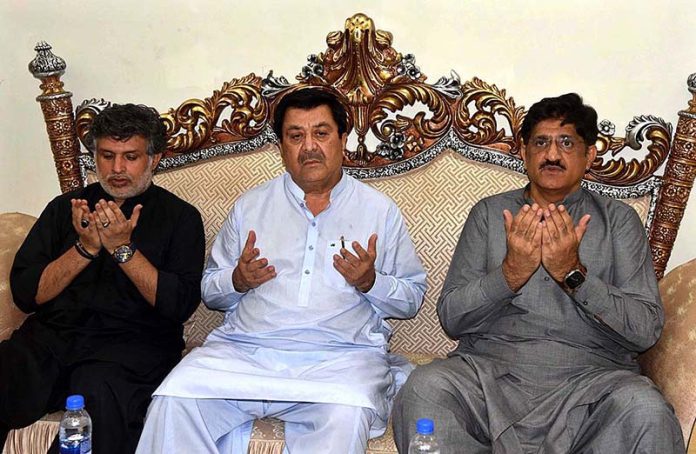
(306, 267)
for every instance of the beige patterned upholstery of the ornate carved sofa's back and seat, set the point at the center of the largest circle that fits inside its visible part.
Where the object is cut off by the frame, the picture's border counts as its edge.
(434, 199)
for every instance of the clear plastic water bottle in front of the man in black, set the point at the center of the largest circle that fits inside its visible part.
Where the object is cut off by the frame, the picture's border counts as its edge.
(75, 432)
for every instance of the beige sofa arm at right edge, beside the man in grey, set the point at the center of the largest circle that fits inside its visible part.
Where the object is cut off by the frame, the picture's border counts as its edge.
(670, 363)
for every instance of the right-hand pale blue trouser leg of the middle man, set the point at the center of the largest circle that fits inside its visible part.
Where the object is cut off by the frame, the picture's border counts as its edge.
(314, 427)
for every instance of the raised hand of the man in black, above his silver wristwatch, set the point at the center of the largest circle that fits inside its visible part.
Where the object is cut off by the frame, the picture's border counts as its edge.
(114, 229)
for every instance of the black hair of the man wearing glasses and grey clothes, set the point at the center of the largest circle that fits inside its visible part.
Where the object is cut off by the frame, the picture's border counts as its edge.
(570, 110)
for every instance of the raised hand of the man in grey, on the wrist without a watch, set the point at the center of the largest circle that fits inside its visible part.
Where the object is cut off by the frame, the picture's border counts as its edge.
(523, 235)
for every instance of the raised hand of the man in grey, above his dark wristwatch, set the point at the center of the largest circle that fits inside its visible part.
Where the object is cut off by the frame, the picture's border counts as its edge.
(560, 241)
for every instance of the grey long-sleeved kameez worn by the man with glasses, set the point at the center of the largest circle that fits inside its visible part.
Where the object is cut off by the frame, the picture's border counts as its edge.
(538, 354)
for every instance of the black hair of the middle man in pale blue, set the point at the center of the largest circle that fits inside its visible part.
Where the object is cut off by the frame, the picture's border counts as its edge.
(309, 98)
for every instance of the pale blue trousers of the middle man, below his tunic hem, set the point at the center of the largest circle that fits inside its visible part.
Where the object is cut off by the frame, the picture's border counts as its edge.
(185, 425)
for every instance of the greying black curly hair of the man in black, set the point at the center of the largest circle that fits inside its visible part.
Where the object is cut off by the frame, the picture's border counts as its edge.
(123, 121)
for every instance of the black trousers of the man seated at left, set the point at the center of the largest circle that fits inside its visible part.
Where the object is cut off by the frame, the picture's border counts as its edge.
(38, 371)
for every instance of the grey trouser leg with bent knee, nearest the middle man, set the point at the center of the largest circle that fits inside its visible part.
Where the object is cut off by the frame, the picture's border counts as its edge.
(448, 392)
